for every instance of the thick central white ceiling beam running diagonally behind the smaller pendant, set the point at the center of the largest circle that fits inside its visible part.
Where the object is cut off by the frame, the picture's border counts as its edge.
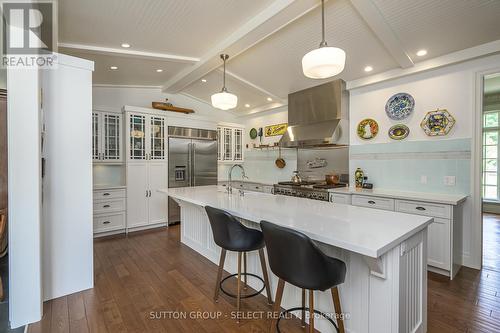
(278, 15)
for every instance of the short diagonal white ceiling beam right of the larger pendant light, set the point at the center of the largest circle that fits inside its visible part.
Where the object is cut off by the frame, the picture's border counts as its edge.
(377, 23)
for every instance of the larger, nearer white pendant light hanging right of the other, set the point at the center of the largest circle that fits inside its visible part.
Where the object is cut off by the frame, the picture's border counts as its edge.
(325, 61)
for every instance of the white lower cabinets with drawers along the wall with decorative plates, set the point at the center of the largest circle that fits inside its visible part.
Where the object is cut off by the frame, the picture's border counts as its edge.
(444, 243)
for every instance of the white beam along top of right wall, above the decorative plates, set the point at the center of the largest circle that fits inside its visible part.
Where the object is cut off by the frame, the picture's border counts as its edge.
(475, 52)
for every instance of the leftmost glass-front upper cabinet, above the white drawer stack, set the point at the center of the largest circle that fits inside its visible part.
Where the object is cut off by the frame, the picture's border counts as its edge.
(107, 137)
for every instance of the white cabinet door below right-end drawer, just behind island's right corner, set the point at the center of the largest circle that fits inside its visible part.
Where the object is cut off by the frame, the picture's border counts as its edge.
(438, 244)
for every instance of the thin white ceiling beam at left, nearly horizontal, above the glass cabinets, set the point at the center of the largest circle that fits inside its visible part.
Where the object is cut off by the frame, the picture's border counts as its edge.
(91, 49)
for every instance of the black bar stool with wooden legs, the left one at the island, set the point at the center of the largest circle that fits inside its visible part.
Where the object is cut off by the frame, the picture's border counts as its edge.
(231, 235)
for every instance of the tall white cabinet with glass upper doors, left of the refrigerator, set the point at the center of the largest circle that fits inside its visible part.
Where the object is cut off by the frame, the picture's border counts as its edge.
(147, 170)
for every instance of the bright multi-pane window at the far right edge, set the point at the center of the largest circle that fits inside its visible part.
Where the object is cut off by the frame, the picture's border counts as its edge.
(491, 133)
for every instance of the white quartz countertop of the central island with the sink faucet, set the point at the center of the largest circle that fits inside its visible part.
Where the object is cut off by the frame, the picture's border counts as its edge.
(367, 231)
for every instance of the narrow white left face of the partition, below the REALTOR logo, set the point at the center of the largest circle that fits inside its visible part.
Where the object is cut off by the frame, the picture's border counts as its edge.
(23, 113)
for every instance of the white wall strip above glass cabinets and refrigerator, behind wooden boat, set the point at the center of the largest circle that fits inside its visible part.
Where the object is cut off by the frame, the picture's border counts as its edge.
(116, 97)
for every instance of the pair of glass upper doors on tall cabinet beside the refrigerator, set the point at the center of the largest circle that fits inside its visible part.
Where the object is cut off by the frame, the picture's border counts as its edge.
(146, 139)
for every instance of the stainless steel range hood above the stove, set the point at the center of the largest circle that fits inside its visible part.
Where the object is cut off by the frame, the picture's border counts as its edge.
(318, 117)
